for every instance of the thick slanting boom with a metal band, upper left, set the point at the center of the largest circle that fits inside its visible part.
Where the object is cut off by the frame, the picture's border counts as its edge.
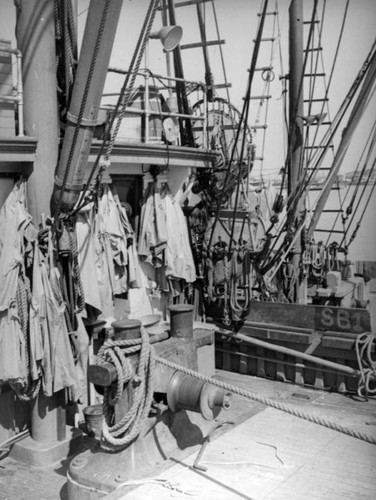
(87, 92)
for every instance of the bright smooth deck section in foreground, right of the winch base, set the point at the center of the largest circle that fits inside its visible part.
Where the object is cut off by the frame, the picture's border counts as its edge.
(274, 456)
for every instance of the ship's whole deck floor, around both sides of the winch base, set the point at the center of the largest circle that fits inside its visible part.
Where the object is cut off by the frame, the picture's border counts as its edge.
(266, 454)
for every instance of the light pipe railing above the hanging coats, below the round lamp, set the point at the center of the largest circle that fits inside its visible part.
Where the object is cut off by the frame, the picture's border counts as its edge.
(147, 112)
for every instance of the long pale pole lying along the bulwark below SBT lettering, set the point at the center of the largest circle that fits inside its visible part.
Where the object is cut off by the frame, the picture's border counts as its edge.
(292, 352)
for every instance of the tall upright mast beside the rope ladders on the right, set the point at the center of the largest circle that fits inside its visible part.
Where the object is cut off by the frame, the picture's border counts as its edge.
(296, 129)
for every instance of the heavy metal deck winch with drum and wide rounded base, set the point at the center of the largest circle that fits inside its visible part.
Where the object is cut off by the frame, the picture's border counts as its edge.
(185, 403)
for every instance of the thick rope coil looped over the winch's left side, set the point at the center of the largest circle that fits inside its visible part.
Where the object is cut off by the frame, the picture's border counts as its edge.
(130, 426)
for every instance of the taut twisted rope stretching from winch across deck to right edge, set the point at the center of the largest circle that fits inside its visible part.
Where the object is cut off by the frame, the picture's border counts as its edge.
(269, 402)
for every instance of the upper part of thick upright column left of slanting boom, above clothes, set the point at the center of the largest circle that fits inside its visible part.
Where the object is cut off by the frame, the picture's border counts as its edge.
(35, 34)
